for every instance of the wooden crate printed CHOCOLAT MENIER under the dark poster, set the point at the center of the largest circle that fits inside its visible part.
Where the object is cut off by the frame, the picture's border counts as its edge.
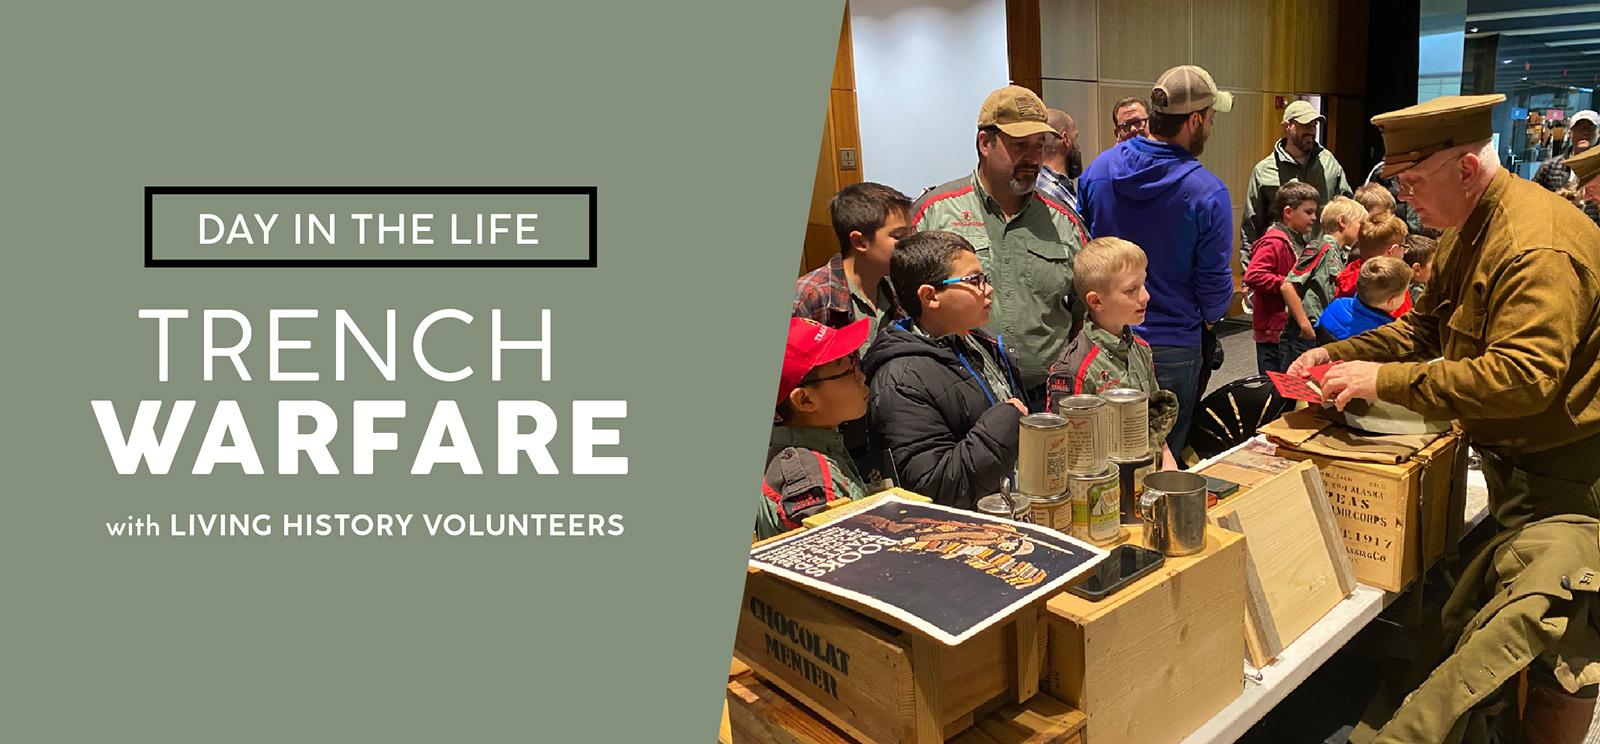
(874, 681)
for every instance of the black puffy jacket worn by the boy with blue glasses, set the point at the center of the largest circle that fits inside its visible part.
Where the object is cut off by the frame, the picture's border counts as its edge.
(950, 438)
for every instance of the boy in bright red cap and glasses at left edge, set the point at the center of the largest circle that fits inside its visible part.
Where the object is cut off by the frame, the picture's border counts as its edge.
(807, 463)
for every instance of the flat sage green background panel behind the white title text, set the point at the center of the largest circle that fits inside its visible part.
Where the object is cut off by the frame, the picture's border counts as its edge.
(698, 122)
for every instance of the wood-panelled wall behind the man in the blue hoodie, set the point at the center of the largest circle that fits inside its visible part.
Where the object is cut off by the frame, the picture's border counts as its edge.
(1094, 54)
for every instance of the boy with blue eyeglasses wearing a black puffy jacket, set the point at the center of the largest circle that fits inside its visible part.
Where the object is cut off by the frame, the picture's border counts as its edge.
(945, 396)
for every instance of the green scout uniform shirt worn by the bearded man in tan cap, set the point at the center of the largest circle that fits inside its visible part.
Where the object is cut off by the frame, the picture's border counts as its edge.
(1028, 262)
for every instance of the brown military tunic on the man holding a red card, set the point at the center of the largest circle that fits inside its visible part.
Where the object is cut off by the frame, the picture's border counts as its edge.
(1514, 308)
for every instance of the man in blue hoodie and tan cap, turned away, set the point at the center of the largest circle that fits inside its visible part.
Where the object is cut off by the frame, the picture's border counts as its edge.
(1154, 193)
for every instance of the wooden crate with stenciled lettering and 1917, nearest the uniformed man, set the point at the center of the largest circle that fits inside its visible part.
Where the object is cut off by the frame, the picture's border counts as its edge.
(1380, 510)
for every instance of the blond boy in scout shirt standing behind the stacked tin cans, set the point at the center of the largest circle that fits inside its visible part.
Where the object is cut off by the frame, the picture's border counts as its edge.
(1110, 278)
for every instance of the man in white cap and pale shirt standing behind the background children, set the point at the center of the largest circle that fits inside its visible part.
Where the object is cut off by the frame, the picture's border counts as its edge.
(1297, 158)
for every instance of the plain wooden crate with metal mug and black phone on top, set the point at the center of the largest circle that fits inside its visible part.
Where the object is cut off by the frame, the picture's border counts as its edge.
(1159, 658)
